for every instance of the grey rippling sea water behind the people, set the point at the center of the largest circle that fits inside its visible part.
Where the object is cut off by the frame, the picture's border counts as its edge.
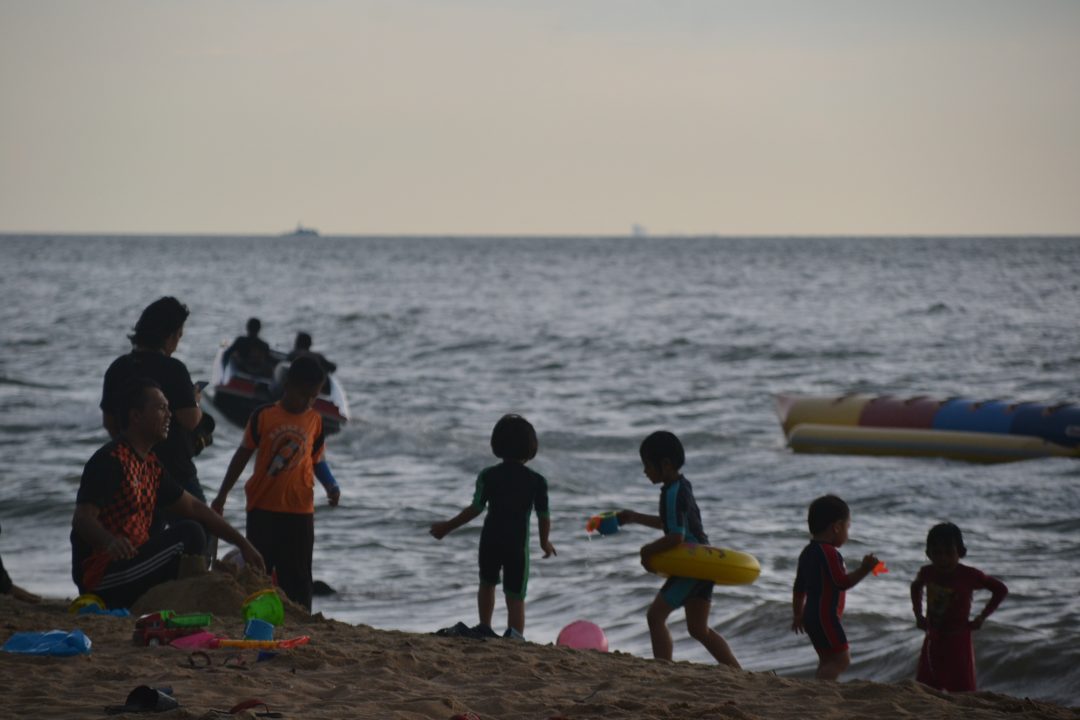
(598, 342)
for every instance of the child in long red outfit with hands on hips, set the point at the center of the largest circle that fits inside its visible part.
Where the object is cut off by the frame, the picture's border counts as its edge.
(948, 661)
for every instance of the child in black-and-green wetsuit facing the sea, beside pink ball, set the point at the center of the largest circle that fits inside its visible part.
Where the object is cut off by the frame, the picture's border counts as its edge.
(511, 492)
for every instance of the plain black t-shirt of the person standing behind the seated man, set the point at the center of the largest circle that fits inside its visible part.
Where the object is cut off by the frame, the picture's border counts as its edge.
(175, 452)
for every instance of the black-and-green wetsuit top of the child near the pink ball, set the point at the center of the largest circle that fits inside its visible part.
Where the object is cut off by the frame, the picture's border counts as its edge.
(510, 492)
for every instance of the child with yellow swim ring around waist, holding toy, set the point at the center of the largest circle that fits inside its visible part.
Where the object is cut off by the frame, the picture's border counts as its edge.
(663, 458)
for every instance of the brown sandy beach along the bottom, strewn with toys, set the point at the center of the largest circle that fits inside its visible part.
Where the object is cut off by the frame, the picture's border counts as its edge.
(359, 672)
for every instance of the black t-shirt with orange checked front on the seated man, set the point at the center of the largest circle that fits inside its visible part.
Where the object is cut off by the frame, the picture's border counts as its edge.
(127, 490)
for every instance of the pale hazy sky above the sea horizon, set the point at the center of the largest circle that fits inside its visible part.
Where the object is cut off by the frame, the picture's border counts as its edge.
(541, 117)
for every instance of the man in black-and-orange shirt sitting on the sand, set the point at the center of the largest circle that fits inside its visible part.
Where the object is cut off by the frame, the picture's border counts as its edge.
(113, 553)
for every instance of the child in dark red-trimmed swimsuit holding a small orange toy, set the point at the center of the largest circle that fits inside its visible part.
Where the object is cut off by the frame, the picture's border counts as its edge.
(820, 586)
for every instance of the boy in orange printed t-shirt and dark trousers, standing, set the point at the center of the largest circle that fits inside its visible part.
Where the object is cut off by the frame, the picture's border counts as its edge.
(288, 438)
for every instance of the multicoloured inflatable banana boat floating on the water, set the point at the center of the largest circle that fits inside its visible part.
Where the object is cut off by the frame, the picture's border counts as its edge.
(957, 429)
